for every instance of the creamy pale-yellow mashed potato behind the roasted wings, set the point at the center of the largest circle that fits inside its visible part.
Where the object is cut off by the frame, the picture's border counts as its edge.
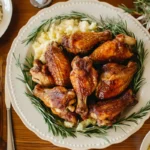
(56, 32)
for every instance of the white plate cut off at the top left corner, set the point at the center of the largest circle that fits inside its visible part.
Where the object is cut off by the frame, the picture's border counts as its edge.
(7, 14)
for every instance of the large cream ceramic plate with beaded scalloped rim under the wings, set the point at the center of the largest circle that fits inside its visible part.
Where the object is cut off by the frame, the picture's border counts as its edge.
(27, 112)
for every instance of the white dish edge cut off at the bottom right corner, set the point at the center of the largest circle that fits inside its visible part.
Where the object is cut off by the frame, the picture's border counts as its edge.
(146, 142)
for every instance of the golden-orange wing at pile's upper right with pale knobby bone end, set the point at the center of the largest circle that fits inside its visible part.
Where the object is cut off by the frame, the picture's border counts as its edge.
(115, 50)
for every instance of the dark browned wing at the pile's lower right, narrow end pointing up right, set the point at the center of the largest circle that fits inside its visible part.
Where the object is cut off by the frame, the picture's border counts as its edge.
(106, 112)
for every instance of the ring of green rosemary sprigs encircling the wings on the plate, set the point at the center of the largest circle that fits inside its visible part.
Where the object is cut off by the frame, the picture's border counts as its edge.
(55, 124)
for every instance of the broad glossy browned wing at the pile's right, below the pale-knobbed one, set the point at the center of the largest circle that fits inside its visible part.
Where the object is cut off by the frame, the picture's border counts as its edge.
(115, 79)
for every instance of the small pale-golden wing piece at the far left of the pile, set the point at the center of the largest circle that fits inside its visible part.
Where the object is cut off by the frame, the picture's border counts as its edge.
(41, 75)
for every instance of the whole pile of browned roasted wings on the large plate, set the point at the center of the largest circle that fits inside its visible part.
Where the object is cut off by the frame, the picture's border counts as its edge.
(88, 75)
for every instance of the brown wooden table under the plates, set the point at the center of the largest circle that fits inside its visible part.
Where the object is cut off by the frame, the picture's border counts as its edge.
(24, 138)
